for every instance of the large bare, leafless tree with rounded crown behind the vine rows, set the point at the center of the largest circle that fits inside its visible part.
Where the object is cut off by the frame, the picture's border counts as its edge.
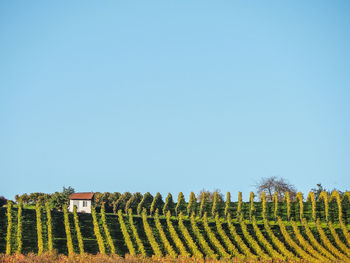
(272, 184)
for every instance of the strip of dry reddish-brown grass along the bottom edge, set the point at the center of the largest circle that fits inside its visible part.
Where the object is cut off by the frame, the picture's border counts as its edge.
(89, 258)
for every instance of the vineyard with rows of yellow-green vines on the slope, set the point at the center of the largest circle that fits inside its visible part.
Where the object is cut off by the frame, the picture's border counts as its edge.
(311, 230)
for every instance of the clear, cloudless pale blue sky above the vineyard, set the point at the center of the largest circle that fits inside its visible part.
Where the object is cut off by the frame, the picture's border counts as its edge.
(173, 96)
